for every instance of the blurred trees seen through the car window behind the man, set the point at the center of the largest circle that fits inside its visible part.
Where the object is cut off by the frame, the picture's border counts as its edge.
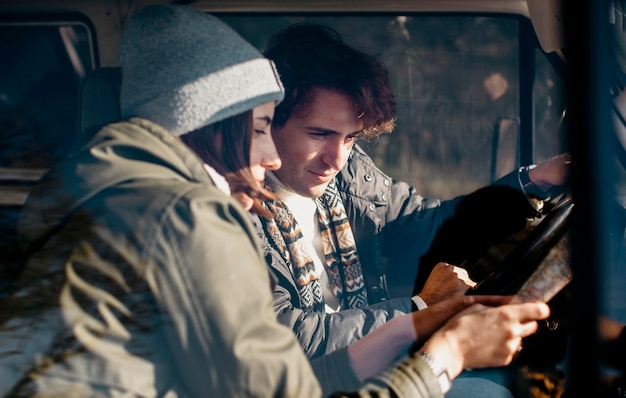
(453, 77)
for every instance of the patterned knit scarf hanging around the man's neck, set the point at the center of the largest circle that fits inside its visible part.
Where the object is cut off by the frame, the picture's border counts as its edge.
(342, 261)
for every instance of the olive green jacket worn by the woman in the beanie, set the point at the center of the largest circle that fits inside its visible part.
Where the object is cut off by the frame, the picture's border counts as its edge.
(144, 279)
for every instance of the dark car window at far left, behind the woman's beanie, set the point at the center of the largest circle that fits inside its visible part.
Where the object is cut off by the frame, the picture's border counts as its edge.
(40, 74)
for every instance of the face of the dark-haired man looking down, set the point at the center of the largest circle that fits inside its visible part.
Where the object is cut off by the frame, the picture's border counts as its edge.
(314, 143)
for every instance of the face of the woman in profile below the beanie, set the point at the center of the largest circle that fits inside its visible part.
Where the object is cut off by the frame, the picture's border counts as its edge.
(263, 154)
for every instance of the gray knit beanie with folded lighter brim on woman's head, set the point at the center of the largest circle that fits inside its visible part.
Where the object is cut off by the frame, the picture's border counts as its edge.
(185, 69)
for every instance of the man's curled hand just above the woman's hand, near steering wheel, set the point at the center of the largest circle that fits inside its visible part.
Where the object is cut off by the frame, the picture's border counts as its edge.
(445, 281)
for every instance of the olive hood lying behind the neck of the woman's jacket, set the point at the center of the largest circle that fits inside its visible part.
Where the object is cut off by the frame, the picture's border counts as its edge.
(133, 149)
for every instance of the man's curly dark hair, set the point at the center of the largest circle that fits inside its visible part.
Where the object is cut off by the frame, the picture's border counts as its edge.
(309, 56)
